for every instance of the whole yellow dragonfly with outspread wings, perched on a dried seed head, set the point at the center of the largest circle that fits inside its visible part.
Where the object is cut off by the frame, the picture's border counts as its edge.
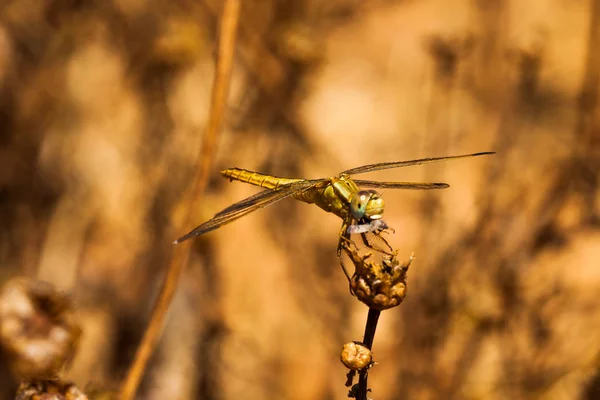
(341, 195)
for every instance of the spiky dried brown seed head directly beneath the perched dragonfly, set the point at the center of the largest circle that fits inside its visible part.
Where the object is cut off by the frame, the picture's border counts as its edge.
(380, 285)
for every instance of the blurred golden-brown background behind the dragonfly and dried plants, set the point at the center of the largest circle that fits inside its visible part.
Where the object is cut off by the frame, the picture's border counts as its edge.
(103, 105)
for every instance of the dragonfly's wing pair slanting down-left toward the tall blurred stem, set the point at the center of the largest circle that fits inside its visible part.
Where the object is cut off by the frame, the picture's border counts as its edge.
(246, 206)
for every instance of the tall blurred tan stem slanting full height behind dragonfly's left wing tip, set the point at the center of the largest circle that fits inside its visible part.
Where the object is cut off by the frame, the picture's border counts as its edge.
(225, 55)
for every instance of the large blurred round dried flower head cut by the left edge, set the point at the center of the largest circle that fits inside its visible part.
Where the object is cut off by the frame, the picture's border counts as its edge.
(38, 330)
